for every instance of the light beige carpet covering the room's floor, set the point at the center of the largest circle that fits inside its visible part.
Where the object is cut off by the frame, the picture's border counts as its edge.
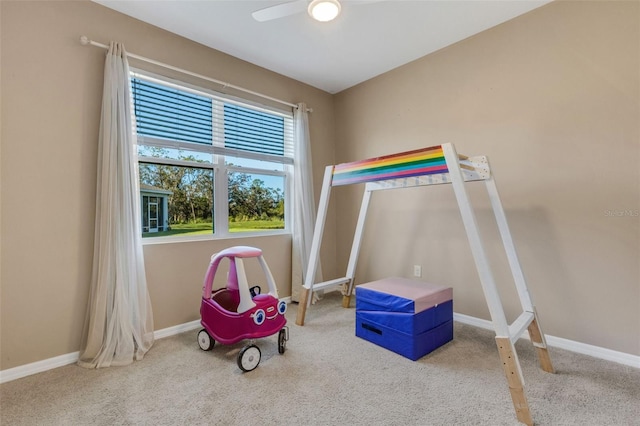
(326, 377)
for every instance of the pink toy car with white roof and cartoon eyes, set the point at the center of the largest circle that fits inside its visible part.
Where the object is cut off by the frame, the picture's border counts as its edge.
(238, 312)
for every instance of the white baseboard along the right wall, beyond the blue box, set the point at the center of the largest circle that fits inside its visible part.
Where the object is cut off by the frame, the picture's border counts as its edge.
(559, 342)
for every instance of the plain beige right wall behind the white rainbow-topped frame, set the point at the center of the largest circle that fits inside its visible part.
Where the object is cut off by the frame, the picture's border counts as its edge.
(552, 98)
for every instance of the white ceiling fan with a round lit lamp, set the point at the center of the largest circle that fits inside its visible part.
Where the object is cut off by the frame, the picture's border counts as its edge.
(320, 10)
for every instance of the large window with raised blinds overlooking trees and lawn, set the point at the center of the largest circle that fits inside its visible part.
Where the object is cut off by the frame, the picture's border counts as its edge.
(209, 164)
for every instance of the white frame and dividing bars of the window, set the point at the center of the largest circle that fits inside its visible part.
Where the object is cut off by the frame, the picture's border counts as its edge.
(220, 214)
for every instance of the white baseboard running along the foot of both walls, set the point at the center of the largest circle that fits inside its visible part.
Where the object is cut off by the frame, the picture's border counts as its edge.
(558, 342)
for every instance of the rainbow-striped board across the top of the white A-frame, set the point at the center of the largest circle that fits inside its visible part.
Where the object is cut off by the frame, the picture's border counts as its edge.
(425, 161)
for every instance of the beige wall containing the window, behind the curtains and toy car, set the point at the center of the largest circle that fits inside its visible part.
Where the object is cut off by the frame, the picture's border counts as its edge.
(51, 94)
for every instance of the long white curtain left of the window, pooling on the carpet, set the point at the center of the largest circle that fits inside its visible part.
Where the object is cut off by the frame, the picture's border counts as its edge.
(119, 323)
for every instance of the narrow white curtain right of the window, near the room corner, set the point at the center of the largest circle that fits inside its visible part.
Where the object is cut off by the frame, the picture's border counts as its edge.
(304, 208)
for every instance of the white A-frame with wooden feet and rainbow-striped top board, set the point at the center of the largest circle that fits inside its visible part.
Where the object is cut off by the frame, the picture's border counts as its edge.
(435, 165)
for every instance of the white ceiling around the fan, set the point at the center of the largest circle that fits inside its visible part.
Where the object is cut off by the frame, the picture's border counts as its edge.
(366, 40)
